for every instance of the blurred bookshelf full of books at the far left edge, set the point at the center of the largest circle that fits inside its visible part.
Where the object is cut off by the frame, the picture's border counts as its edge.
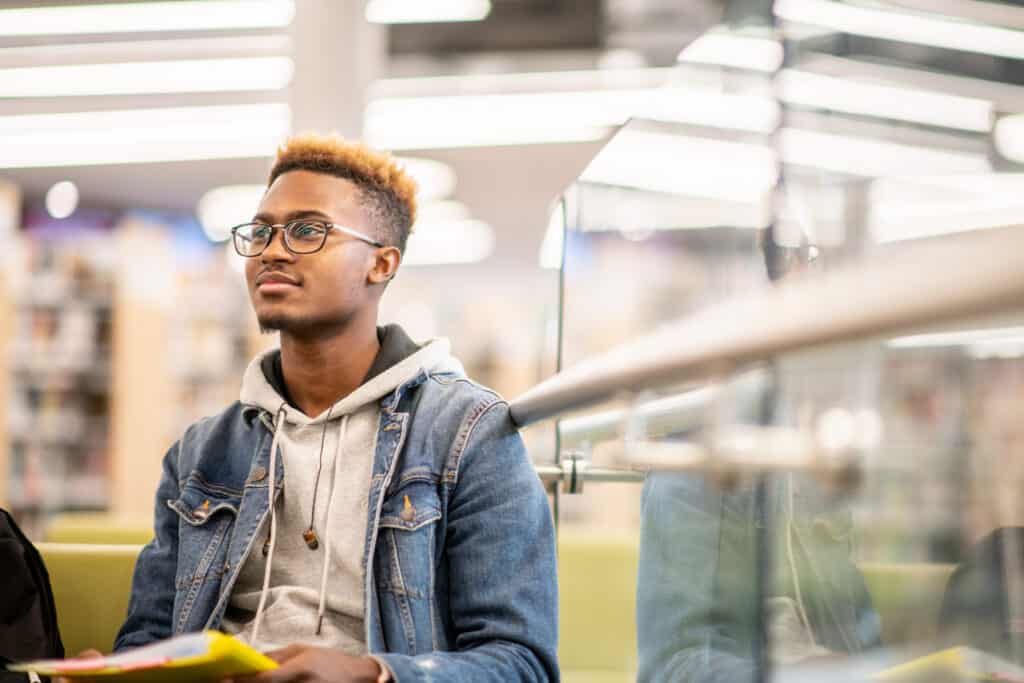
(61, 307)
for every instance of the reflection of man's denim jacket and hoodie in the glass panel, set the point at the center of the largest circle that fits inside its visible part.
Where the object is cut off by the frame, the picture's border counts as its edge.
(698, 605)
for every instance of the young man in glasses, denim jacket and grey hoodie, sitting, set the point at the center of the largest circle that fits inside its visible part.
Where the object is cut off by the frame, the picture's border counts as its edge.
(365, 513)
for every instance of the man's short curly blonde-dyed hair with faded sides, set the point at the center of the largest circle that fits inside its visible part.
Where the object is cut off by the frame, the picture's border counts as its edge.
(389, 192)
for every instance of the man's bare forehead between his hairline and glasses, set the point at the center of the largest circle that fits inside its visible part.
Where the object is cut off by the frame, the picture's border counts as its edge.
(305, 191)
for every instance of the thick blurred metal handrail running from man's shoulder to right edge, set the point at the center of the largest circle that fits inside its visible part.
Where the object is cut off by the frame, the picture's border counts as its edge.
(905, 288)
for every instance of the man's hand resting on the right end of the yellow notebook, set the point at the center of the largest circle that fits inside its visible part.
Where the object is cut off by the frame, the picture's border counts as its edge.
(316, 665)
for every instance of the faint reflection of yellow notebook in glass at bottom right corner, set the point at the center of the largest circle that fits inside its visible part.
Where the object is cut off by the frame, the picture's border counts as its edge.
(960, 664)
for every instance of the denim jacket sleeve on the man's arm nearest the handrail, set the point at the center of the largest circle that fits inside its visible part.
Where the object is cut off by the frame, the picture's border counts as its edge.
(501, 554)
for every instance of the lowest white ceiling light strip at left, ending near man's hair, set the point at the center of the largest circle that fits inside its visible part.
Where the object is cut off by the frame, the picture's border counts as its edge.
(133, 137)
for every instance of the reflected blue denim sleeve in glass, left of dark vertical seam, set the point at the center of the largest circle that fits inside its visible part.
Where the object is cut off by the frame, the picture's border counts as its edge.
(694, 621)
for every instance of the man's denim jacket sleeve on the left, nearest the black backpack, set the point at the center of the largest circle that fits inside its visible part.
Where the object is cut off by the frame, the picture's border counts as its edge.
(152, 604)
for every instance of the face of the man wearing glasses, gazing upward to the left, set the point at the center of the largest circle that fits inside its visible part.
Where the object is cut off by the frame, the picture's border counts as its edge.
(308, 294)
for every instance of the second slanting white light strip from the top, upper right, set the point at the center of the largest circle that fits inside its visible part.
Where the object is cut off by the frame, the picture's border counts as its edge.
(885, 102)
